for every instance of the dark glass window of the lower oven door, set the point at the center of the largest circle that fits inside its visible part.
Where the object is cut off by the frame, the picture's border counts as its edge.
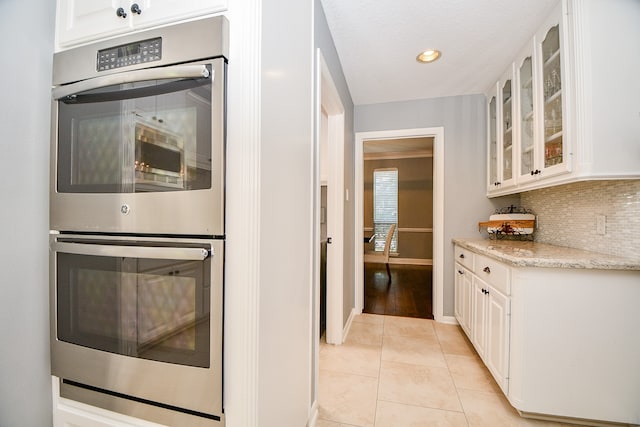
(153, 309)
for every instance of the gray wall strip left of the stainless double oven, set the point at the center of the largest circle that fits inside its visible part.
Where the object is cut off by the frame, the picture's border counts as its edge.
(27, 48)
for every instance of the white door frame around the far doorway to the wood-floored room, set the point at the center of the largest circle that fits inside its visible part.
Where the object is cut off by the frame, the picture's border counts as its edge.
(438, 210)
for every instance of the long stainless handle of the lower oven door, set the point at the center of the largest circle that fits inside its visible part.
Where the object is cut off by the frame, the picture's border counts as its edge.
(192, 254)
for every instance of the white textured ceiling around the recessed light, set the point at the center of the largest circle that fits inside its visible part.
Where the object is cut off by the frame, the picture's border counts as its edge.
(378, 41)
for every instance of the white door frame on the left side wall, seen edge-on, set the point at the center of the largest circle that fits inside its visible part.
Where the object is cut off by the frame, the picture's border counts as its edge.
(330, 101)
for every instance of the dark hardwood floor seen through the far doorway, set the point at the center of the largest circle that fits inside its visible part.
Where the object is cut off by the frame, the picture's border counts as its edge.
(409, 294)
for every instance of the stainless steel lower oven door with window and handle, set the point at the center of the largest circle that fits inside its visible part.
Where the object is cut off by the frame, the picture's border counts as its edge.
(139, 318)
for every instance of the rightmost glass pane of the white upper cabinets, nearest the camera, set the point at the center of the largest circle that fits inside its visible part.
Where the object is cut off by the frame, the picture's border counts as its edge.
(552, 89)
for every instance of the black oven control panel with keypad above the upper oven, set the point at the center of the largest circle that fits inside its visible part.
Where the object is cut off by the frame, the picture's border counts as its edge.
(130, 54)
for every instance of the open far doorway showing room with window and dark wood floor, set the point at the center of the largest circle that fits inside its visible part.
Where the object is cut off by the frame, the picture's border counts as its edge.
(398, 189)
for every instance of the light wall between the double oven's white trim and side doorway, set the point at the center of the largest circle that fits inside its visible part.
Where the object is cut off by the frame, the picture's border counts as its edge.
(286, 179)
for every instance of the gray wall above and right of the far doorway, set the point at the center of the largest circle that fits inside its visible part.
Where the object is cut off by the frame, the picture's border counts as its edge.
(463, 119)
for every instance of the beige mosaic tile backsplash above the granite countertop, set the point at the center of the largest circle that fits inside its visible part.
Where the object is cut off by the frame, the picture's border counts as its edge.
(567, 216)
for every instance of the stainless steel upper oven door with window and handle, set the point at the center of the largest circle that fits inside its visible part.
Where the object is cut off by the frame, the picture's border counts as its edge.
(140, 151)
